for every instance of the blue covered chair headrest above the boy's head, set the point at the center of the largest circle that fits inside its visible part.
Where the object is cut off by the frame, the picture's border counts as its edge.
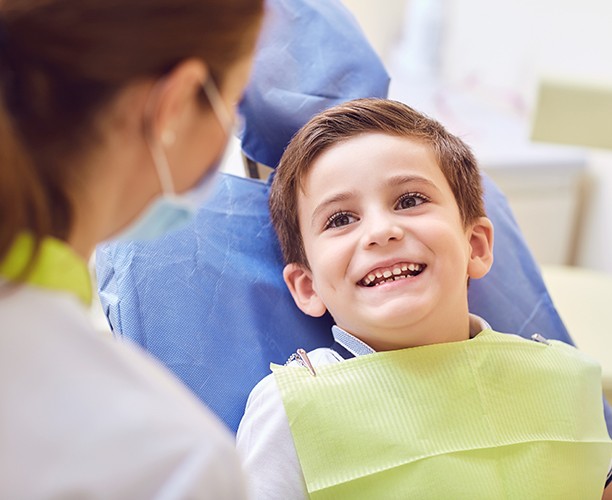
(311, 56)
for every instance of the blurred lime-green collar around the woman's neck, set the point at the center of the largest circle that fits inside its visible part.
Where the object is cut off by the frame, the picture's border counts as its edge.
(57, 267)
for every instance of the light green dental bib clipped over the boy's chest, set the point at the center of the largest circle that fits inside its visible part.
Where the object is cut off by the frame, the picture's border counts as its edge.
(492, 417)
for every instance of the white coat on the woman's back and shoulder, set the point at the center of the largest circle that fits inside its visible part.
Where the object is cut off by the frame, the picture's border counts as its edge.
(85, 416)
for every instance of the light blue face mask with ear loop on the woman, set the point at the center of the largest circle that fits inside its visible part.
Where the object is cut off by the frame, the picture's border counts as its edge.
(171, 211)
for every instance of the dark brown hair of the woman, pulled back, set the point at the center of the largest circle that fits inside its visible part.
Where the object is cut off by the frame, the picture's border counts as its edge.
(63, 61)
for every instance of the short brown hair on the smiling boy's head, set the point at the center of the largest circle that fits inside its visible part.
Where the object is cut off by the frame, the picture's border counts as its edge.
(362, 116)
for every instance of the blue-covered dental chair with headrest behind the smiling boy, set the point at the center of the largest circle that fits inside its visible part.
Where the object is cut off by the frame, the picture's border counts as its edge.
(209, 300)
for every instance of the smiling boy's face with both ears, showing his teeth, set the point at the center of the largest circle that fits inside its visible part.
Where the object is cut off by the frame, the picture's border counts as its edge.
(389, 256)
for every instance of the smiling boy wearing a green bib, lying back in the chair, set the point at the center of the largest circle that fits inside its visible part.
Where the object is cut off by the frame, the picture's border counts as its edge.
(380, 217)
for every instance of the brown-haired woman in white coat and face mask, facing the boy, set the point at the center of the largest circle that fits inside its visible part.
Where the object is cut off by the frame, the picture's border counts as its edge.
(108, 111)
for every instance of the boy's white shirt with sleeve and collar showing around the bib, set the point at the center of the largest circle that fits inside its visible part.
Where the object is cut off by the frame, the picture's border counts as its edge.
(264, 439)
